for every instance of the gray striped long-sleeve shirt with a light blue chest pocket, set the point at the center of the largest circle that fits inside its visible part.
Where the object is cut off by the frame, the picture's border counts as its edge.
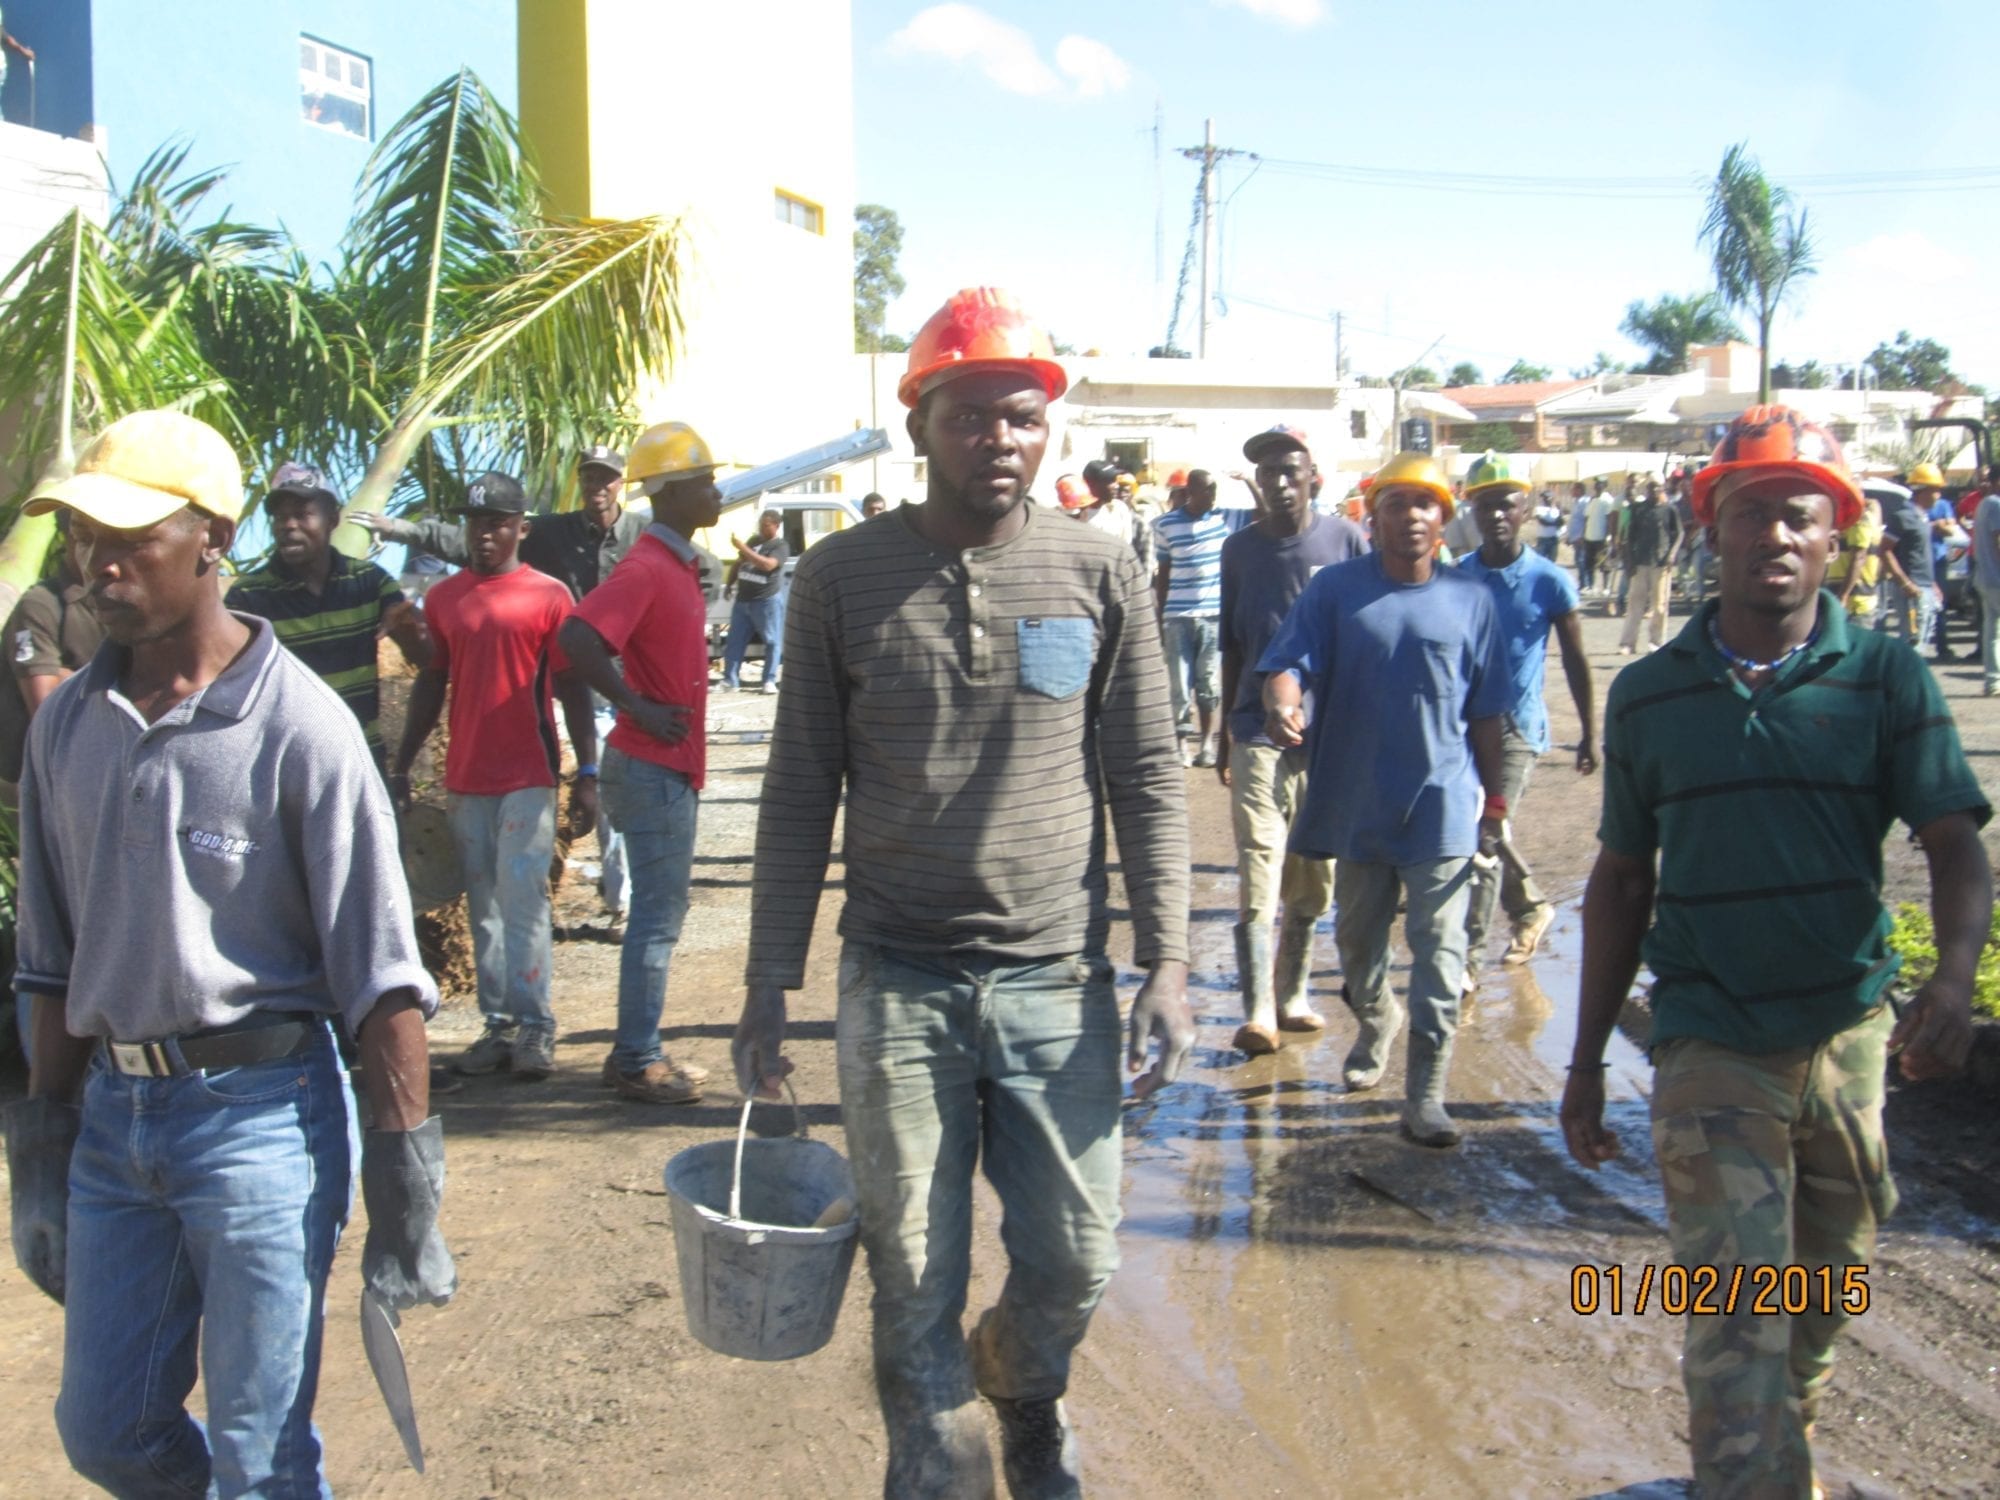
(983, 711)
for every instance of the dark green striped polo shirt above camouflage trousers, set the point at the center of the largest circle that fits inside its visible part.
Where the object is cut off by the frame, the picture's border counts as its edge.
(1769, 811)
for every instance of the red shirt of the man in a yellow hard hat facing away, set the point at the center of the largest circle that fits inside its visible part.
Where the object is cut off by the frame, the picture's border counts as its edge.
(651, 613)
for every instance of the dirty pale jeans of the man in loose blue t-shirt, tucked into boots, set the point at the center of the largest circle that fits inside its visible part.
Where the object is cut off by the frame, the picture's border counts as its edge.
(1435, 927)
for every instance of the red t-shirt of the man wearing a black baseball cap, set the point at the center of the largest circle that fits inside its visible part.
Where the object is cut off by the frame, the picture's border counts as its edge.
(495, 635)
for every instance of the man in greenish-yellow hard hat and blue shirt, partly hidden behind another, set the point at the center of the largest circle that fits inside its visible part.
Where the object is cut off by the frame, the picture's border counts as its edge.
(1533, 597)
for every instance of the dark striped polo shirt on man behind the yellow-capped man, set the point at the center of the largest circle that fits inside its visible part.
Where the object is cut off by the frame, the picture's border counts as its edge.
(333, 633)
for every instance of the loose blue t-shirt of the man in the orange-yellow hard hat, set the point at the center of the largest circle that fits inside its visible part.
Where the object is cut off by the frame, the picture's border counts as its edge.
(1395, 671)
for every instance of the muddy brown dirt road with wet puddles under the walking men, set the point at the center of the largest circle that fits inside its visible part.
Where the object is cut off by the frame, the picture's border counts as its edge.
(1309, 1307)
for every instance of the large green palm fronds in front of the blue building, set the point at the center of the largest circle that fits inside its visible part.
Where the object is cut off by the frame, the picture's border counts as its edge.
(461, 331)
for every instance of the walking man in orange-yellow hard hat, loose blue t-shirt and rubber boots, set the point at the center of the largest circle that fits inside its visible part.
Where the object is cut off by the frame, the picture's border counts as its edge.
(1409, 685)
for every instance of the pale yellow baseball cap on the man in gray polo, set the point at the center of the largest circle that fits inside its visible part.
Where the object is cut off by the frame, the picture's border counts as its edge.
(143, 469)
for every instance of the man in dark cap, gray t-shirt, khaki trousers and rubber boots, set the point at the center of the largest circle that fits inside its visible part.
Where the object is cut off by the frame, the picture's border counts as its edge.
(1265, 569)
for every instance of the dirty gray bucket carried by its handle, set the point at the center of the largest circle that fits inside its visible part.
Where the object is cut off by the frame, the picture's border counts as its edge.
(757, 1279)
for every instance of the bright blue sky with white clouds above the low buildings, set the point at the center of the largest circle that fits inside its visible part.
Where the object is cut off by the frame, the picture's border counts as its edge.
(1015, 141)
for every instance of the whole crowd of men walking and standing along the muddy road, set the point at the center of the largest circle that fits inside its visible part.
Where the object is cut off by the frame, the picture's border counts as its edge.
(977, 689)
